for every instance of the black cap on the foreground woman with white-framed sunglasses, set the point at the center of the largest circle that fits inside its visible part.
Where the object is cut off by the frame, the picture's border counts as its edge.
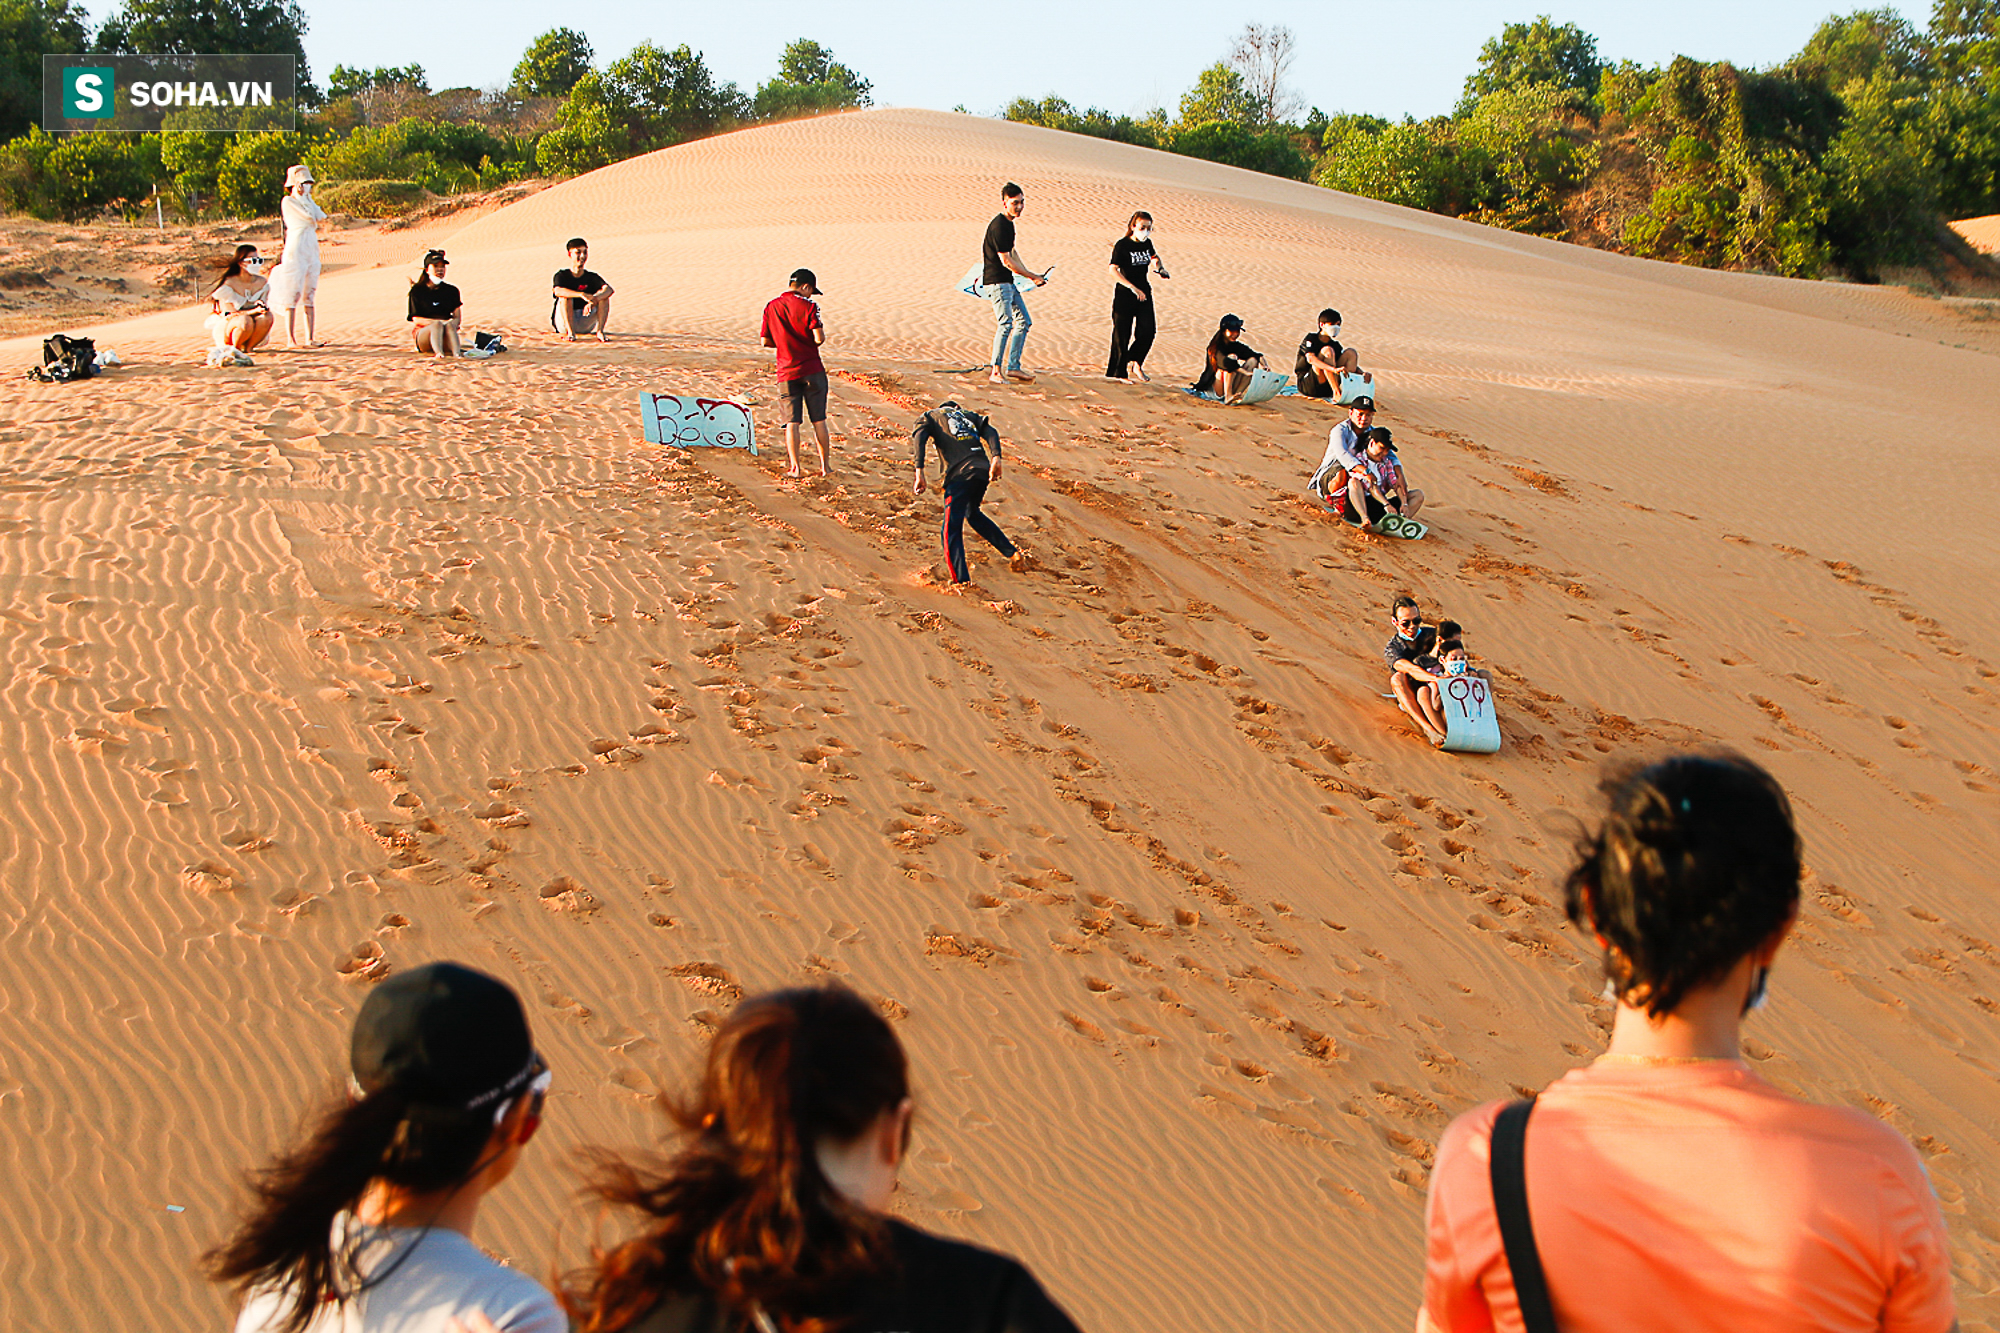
(443, 1036)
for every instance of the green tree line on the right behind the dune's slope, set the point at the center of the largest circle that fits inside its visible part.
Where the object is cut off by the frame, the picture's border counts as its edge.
(1843, 161)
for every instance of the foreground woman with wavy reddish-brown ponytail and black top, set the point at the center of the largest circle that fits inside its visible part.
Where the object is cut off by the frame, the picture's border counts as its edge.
(773, 1214)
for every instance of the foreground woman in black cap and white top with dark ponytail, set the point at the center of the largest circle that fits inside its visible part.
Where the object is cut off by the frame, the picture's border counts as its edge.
(369, 1224)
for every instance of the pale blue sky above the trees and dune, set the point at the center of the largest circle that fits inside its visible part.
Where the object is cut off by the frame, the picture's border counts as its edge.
(1395, 59)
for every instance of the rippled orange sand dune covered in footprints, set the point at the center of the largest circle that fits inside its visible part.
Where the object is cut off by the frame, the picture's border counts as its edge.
(355, 661)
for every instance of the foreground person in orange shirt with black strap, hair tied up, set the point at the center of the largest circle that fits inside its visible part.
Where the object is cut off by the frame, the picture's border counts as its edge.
(1669, 1186)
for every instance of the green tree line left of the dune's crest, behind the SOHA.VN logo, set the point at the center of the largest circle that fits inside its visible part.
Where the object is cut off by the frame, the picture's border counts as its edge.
(377, 139)
